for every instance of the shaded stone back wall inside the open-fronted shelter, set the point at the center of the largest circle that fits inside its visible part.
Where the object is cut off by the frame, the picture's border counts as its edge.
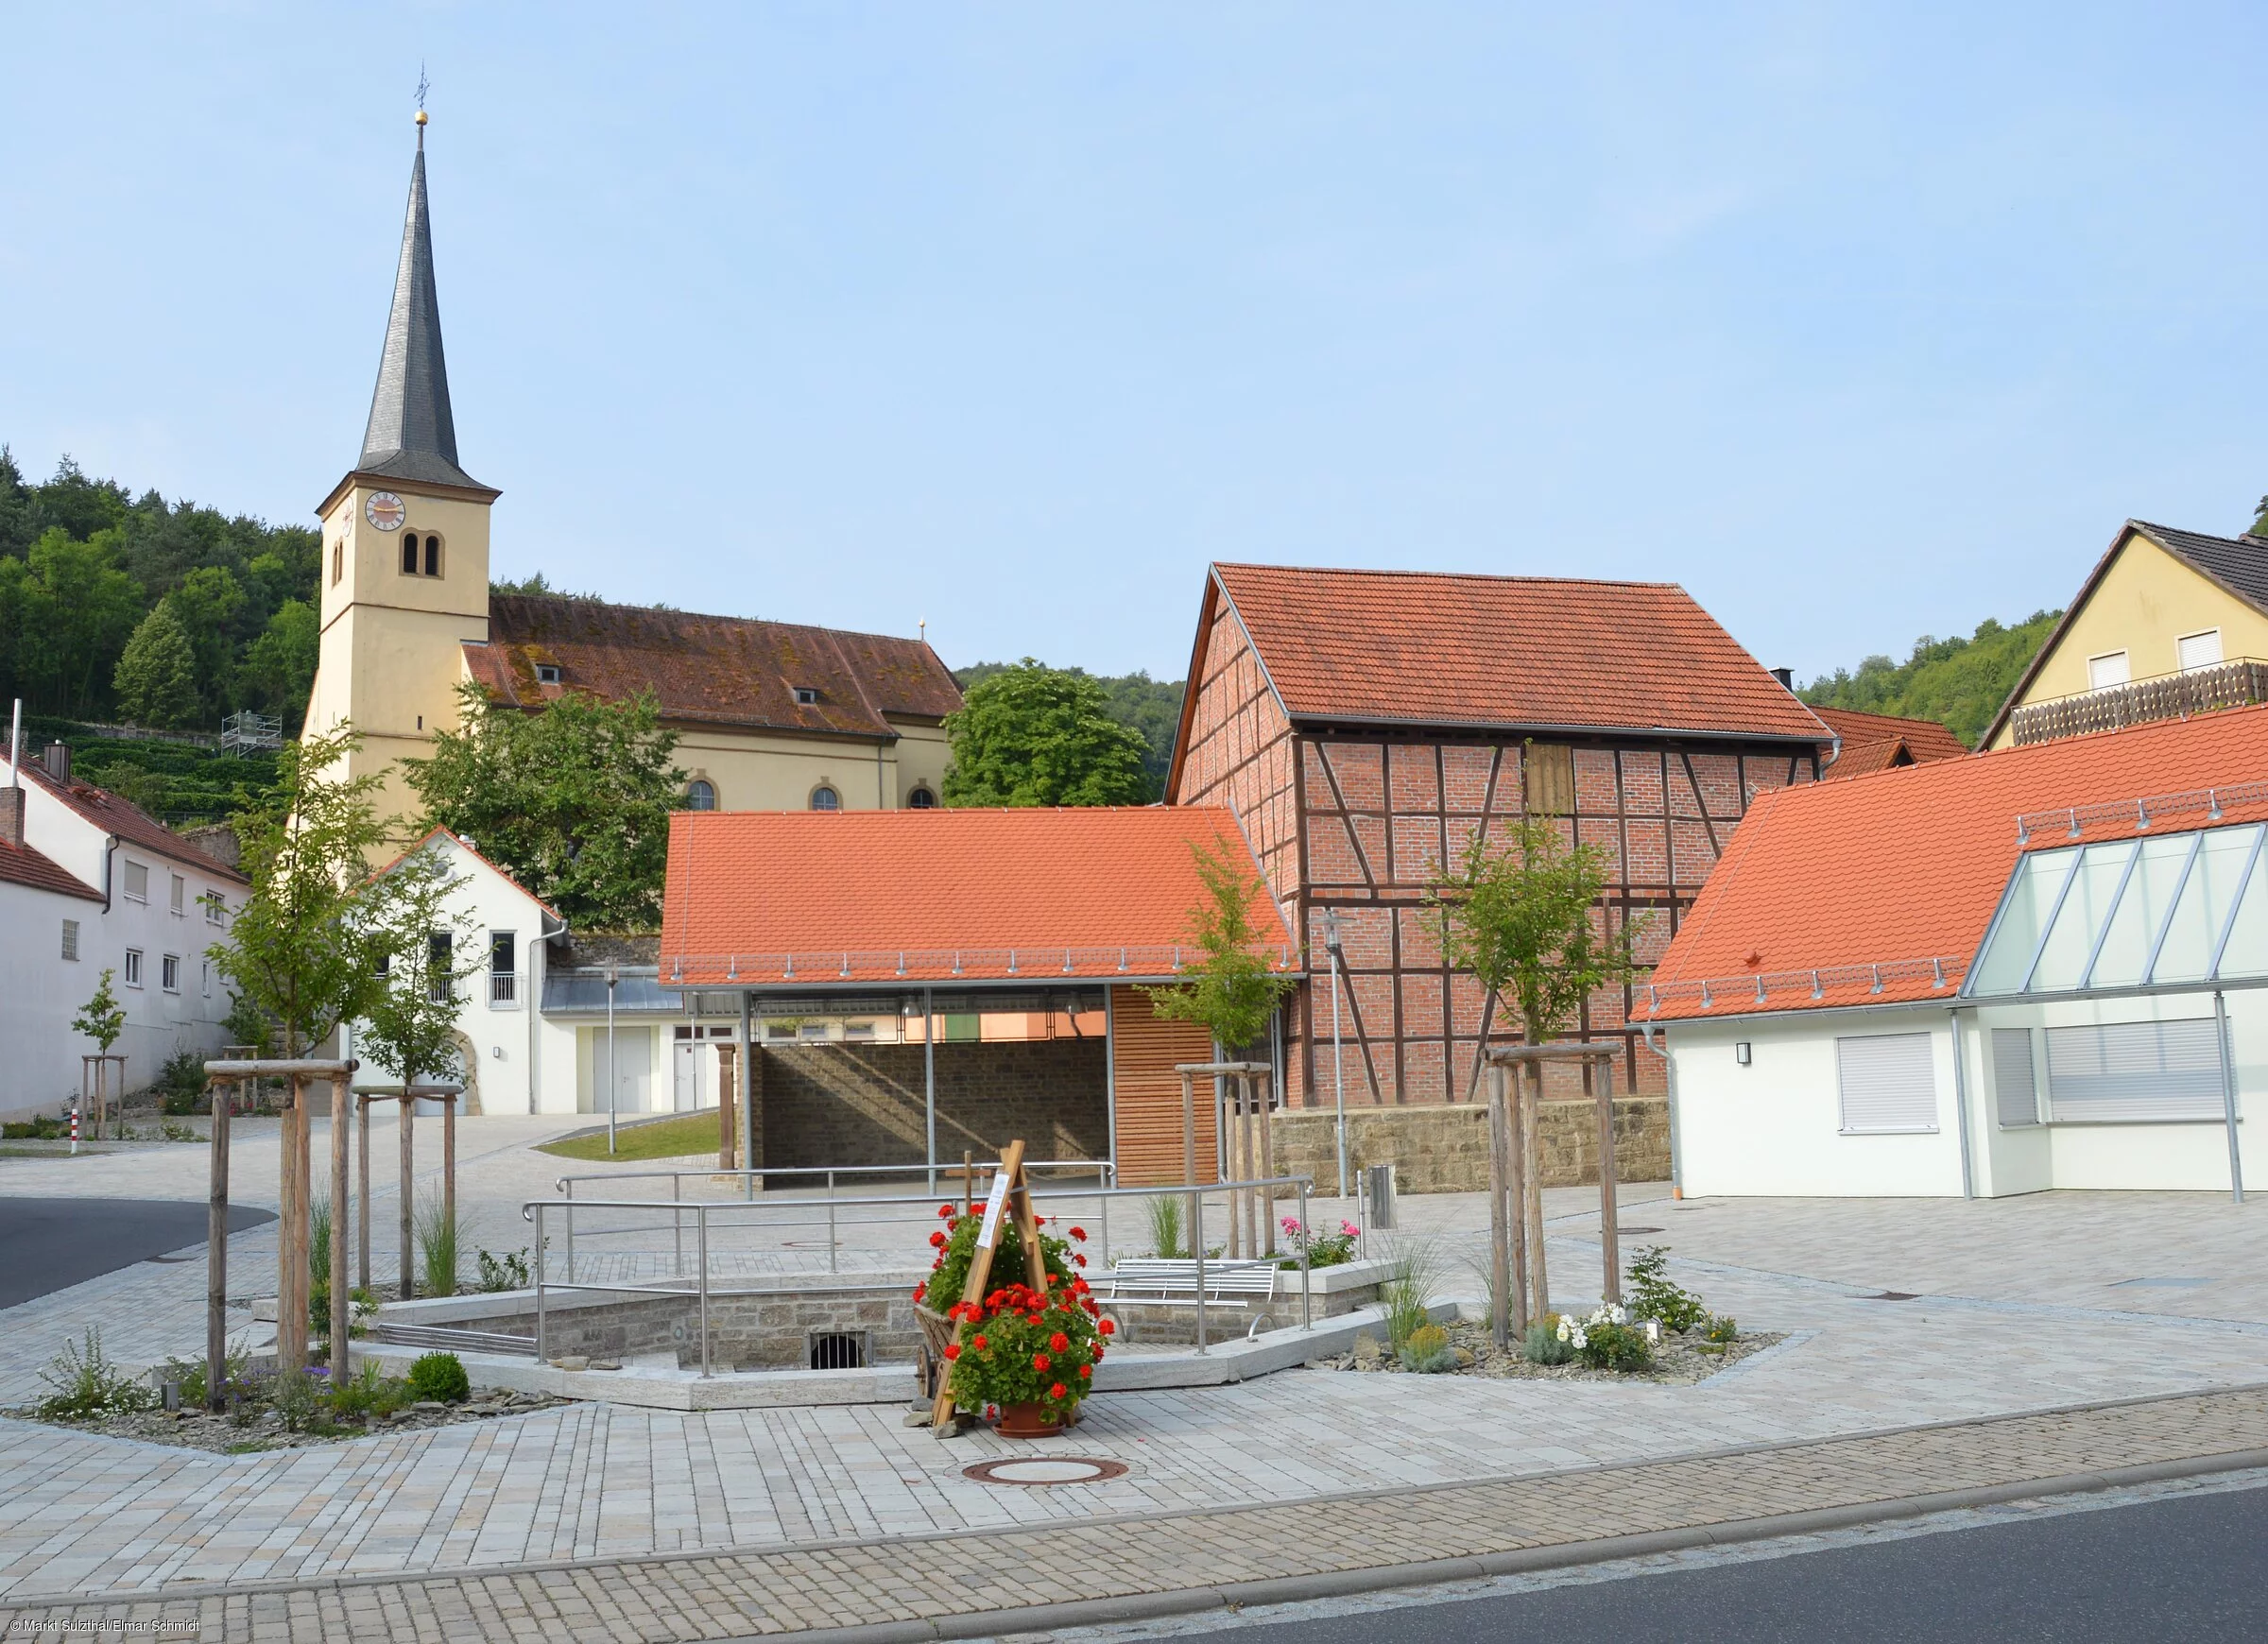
(836, 1105)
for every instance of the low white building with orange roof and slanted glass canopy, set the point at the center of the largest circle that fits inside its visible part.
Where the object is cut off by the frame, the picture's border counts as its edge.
(2029, 969)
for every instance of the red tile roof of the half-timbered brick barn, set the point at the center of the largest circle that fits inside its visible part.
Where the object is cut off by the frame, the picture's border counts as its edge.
(1516, 652)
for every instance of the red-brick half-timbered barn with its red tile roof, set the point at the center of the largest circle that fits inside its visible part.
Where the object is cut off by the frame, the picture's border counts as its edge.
(1366, 729)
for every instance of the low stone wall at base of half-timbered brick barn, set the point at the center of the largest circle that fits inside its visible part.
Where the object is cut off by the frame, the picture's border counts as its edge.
(1446, 1149)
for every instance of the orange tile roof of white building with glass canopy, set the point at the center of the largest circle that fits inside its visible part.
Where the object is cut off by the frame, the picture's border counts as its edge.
(1904, 870)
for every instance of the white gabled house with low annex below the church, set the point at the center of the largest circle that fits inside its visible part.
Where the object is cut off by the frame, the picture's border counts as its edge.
(534, 1024)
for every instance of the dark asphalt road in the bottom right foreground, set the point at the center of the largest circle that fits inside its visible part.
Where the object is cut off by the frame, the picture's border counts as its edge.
(2181, 1568)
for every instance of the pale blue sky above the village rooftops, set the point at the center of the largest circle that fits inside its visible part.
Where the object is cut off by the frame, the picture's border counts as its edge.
(1863, 323)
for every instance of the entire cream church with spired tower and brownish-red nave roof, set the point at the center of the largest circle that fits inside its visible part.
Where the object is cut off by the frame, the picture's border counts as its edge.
(770, 715)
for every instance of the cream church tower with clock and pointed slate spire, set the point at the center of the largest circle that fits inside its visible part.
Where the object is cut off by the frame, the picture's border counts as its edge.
(405, 543)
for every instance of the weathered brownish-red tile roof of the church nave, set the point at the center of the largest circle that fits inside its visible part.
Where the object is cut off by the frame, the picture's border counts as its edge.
(711, 670)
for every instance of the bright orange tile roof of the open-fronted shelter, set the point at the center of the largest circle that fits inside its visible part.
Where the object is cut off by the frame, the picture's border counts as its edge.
(951, 895)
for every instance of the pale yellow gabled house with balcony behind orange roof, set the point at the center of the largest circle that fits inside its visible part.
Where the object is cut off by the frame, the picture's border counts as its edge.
(2167, 625)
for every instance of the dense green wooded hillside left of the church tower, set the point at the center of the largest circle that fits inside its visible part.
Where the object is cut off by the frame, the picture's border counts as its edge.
(85, 563)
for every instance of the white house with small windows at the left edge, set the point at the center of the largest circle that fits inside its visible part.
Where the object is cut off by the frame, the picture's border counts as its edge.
(92, 883)
